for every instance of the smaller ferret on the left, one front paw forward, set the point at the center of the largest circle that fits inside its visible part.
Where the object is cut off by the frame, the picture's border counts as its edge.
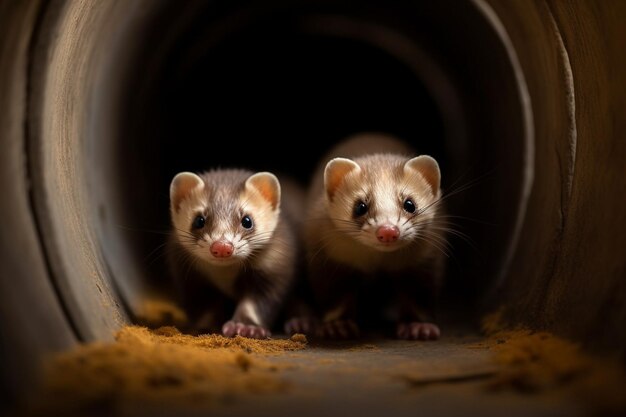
(232, 249)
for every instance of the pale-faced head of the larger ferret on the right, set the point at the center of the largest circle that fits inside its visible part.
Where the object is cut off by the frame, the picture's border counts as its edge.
(383, 201)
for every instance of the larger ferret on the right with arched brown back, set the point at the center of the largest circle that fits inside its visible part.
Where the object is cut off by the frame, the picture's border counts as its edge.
(372, 238)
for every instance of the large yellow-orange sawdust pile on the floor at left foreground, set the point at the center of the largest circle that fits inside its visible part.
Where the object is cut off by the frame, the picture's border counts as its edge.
(157, 370)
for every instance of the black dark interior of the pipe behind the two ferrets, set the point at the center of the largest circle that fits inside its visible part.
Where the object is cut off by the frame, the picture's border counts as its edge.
(274, 88)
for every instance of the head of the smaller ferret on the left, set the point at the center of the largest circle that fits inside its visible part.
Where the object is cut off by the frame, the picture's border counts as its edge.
(223, 217)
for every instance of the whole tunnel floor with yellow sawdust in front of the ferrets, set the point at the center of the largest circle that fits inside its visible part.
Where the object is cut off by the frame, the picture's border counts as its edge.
(165, 372)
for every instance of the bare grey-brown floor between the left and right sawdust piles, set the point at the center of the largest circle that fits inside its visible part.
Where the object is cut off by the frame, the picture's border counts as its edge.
(395, 378)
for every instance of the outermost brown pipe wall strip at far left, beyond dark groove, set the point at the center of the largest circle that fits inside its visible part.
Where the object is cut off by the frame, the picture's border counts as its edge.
(32, 318)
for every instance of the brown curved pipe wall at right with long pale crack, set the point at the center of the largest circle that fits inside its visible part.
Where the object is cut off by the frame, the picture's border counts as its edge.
(569, 272)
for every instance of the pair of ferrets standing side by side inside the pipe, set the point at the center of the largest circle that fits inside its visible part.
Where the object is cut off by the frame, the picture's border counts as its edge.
(369, 235)
